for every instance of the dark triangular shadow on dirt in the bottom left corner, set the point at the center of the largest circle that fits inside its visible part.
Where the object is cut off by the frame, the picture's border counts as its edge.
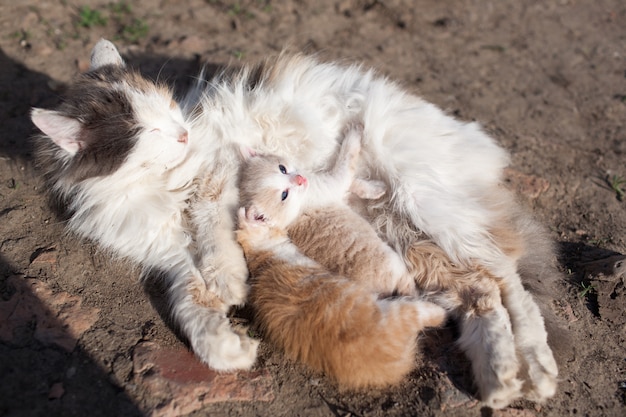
(40, 377)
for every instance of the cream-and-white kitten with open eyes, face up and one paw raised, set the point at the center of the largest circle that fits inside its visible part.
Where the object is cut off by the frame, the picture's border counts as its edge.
(318, 219)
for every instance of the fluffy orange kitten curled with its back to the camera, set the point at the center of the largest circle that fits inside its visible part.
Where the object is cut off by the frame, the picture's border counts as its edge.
(333, 324)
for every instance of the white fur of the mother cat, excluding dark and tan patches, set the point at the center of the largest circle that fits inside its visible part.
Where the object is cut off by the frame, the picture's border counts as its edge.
(439, 171)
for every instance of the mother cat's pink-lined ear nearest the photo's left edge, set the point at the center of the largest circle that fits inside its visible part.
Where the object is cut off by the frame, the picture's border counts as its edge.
(63, 130)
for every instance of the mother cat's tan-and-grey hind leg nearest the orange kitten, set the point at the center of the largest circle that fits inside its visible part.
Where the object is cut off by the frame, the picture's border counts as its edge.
(486, 334)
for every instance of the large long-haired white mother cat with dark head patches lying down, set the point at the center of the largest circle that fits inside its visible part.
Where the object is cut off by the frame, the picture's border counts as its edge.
(155, 182)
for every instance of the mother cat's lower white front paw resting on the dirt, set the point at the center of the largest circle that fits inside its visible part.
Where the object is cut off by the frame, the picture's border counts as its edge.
(224, 349)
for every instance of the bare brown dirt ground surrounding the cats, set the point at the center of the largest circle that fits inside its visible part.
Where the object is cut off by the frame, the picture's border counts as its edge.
(546, 78)
